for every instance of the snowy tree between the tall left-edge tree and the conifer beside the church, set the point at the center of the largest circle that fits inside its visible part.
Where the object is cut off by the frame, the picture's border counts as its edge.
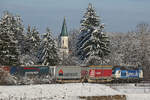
(30, 46)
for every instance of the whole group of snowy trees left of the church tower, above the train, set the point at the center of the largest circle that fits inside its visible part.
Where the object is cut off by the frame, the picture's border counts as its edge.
(20, 46)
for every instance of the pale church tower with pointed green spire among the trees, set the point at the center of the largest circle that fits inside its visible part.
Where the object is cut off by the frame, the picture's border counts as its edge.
(63, 39)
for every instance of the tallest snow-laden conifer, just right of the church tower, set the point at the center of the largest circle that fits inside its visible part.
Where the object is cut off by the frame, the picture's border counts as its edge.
(93, 44)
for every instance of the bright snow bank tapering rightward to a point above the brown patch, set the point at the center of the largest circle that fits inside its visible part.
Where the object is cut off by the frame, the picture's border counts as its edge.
(56, 91)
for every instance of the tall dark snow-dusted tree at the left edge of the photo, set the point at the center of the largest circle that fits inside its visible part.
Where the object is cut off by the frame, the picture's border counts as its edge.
(9, 50)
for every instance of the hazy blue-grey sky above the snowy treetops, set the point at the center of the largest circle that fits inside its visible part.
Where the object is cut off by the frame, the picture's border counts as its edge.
(118, 15)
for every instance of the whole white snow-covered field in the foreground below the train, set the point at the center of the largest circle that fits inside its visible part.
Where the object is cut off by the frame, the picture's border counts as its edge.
(71, 91)
